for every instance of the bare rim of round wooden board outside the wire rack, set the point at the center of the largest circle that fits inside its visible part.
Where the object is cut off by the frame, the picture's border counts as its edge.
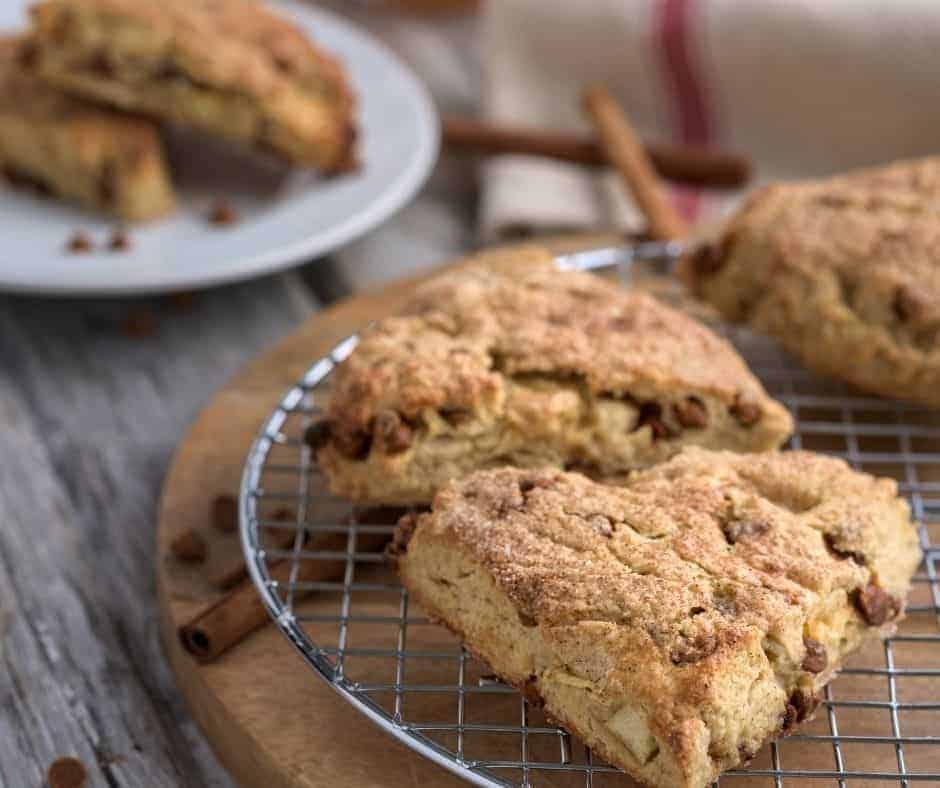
(269, 719)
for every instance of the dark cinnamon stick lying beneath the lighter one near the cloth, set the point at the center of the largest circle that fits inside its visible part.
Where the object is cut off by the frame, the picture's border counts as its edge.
(692, 164)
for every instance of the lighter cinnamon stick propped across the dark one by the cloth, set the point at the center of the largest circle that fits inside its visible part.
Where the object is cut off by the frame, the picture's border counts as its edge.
(624, 151)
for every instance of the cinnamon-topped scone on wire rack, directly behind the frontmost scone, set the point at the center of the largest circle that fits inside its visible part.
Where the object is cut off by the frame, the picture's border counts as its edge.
(511, 361)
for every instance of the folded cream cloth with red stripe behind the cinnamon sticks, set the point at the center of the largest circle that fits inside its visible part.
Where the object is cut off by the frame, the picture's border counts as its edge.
(803, 87)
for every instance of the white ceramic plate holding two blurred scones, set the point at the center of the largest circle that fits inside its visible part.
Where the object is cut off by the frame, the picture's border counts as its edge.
(286, 217)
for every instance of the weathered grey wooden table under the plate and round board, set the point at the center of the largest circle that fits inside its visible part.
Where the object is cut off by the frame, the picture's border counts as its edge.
(93, 398)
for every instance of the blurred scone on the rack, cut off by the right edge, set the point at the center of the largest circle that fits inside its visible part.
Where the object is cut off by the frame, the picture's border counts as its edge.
(844, 273)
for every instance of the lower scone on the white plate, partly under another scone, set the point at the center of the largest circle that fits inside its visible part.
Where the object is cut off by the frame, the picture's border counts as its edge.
(64, 146)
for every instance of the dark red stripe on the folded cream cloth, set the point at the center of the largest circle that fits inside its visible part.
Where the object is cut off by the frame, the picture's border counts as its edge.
(672, 24)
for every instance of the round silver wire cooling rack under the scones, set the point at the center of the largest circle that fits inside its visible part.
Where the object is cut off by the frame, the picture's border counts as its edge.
(322, 576)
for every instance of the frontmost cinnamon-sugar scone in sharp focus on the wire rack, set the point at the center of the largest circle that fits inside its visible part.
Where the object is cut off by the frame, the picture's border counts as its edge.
(676, 622)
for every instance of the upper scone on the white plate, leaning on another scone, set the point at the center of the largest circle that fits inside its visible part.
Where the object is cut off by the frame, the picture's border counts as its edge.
(229, 67)
